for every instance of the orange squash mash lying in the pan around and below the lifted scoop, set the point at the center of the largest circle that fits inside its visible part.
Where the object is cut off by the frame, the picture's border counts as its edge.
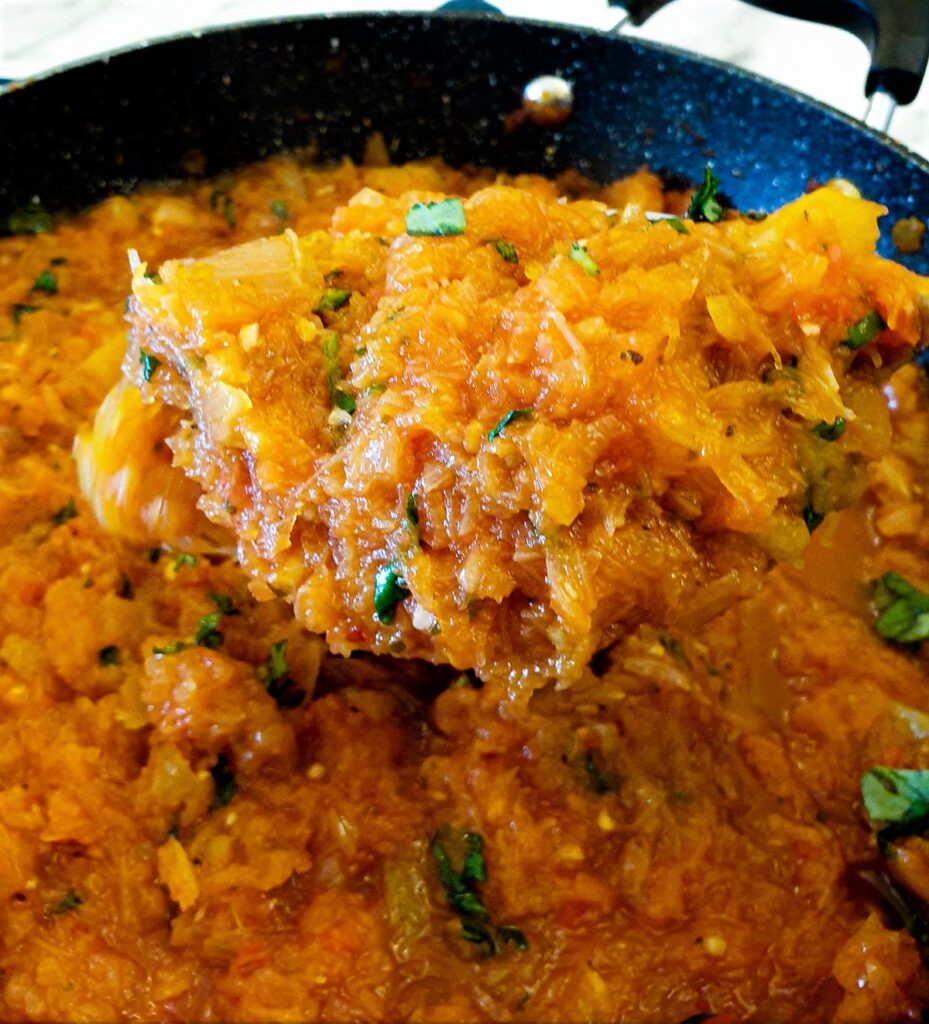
(677, 833)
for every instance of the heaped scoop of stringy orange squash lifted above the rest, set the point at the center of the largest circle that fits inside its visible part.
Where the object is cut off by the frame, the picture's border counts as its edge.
(505, 448)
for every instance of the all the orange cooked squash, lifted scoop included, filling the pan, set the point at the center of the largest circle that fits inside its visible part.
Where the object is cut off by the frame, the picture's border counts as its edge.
(205, 816)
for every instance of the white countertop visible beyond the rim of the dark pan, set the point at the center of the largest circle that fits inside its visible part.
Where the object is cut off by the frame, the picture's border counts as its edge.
(36, 35)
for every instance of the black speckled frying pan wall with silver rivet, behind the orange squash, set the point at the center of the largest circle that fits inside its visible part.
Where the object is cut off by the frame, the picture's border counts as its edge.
(445, 84)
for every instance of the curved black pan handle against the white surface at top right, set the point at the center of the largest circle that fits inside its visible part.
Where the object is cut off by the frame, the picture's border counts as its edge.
(896, 32)
